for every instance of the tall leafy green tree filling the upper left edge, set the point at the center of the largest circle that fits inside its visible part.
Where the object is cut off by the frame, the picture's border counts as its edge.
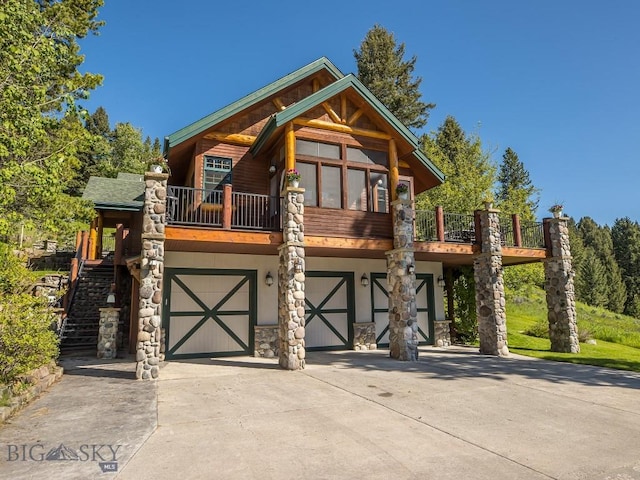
(41, 132)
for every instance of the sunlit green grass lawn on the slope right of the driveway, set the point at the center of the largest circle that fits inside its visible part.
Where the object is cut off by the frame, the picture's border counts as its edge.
(617, 336)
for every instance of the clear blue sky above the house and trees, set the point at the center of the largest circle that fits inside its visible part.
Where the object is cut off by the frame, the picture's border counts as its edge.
(557, 81)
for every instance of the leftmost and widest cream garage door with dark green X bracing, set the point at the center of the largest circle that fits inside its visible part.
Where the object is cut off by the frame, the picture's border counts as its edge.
(209, 312)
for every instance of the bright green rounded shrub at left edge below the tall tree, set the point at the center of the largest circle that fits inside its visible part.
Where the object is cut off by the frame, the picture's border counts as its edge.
(26, 338)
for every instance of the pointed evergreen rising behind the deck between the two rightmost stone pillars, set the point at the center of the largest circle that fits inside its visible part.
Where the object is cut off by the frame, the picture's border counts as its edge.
(516, 193)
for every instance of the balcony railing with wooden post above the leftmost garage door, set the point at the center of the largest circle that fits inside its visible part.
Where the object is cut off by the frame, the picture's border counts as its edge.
(222, 209)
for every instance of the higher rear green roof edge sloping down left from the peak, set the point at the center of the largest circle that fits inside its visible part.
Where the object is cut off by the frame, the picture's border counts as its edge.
(201, 125)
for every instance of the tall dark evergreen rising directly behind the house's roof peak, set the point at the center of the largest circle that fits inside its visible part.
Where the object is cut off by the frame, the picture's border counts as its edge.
(383, 70)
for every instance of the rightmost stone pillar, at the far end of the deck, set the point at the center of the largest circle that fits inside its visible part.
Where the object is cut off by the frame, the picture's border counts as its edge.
(561, 302)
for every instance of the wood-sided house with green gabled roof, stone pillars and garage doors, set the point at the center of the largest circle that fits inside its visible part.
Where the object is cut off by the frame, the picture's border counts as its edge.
(235, 259)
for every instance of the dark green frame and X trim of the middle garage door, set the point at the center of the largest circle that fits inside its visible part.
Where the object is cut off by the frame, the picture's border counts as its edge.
(313, 311)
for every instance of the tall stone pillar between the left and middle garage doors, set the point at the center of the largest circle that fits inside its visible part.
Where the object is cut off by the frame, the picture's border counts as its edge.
(291, 278)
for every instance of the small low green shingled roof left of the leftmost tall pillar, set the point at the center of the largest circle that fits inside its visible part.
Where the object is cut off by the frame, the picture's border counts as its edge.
(126, 193)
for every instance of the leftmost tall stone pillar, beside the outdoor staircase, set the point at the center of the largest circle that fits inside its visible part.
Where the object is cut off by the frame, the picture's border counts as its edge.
(148, 351)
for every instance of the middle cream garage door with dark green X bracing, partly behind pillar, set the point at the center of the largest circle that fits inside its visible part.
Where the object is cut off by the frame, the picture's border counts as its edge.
(330, 310)
